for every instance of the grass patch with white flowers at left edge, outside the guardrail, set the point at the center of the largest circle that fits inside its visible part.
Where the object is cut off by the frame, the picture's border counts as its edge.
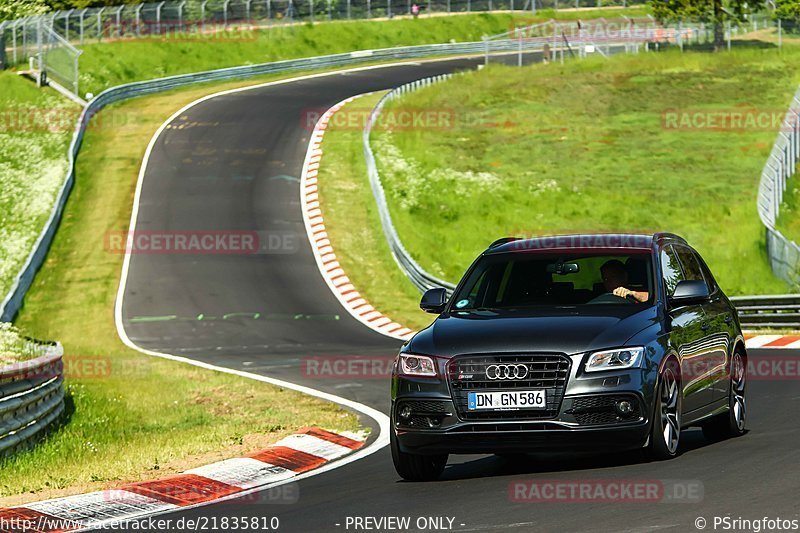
(36, 130)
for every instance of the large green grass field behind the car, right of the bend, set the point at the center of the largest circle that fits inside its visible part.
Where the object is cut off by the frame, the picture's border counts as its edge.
(581, 147)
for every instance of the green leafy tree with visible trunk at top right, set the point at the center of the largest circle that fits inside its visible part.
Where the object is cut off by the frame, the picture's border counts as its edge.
(709, 11)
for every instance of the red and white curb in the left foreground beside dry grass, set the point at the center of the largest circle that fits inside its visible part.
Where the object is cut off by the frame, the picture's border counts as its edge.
(298, 453)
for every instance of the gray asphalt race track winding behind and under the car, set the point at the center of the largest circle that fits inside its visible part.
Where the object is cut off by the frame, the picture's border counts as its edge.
(231, 163)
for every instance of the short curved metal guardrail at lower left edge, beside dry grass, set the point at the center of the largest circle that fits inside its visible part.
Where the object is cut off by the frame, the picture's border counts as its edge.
(31, 398)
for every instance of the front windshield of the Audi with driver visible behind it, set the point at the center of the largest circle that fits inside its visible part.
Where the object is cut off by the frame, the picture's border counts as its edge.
(517, 280)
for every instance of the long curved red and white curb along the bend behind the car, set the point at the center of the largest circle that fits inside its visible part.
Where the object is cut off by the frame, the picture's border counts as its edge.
(329, 266)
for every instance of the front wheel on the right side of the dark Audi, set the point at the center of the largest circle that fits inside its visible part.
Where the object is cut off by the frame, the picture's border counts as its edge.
(665, 430)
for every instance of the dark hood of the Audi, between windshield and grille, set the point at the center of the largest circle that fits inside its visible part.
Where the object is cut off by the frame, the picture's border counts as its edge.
(565, 330)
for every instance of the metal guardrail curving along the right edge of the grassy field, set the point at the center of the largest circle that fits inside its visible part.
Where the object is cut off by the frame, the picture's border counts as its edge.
(783, 254)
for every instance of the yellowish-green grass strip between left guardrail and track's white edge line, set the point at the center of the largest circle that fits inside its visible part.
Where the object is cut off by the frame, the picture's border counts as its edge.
(145, 417)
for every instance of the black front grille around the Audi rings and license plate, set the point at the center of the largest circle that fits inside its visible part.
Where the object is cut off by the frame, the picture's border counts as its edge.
(546, 371)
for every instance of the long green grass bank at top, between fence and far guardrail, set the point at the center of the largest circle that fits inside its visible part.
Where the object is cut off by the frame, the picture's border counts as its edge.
(106, 64)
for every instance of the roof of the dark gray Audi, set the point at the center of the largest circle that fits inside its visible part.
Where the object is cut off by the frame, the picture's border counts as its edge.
(583, 241)
